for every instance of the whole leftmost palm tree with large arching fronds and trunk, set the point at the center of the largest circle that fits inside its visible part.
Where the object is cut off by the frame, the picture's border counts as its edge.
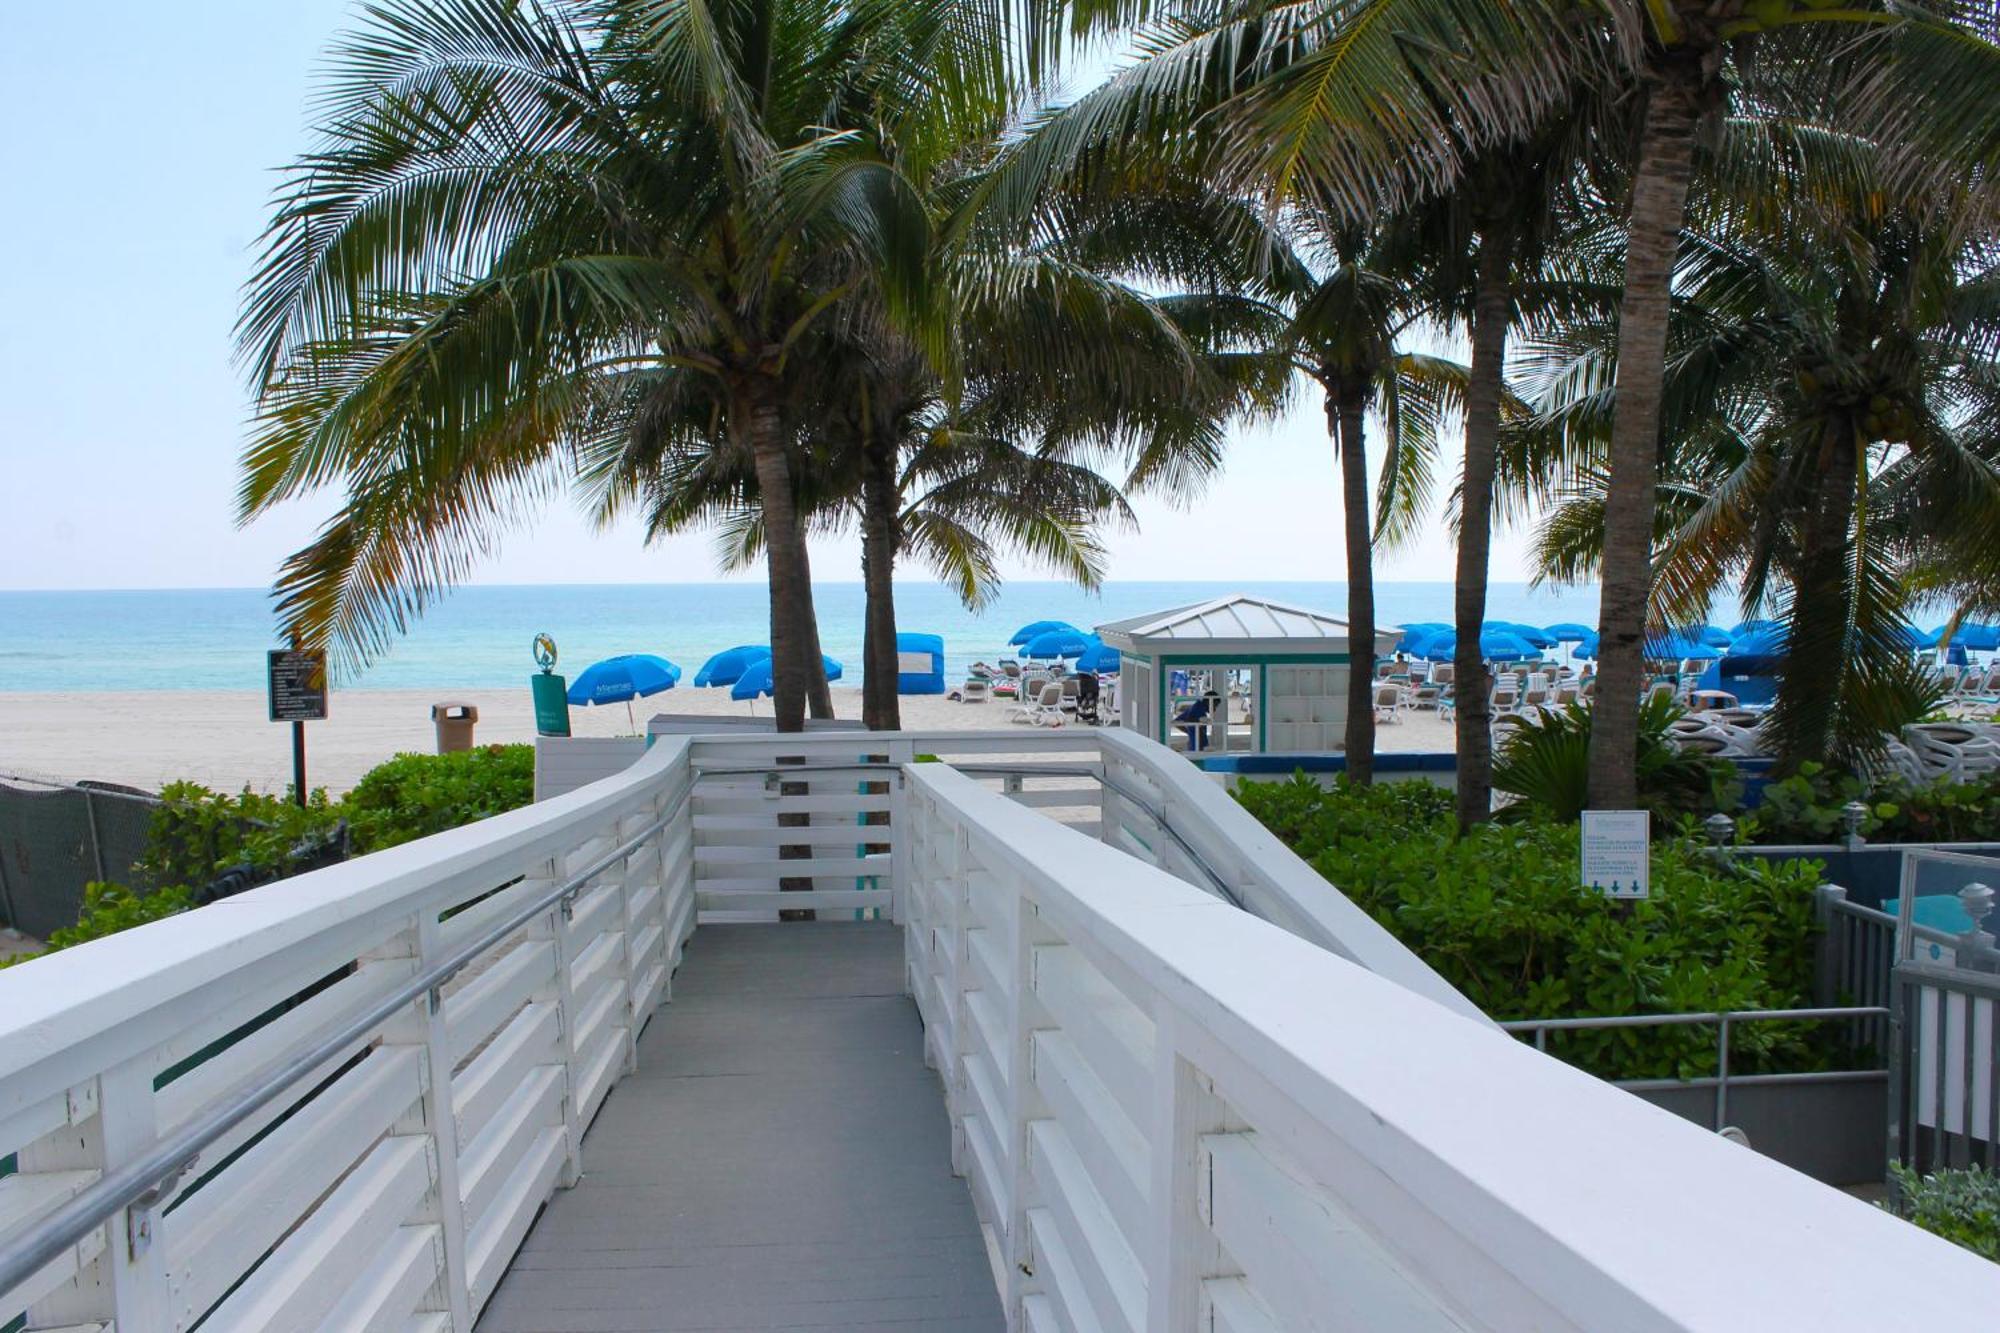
(513, 205)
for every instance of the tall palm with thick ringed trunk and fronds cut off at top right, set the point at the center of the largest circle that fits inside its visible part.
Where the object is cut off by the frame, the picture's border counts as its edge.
(1365, 105)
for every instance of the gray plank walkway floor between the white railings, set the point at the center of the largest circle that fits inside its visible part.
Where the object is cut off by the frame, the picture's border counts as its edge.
(779, 1162)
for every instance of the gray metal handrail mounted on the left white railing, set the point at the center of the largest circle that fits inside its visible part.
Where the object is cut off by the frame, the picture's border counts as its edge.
(147, 1180)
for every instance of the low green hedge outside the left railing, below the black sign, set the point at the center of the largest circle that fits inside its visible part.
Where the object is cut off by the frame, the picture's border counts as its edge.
(197, 836)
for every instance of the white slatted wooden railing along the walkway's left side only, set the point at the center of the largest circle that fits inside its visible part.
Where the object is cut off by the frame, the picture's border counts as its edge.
(337, 1102)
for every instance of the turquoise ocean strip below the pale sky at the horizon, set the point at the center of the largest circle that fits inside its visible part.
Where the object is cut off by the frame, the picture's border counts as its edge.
(479, 637)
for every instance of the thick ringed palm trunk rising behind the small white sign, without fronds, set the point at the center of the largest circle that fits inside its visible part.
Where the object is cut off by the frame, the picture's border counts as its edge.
(1653, 241)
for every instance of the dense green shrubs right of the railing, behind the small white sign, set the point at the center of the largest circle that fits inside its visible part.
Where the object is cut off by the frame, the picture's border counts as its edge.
(1505, 918)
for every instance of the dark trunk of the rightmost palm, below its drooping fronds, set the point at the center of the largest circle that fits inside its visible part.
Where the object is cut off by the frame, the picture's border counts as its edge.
(1809, 702)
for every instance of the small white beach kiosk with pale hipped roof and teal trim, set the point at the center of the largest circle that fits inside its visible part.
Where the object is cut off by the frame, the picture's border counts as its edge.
(1271, 676)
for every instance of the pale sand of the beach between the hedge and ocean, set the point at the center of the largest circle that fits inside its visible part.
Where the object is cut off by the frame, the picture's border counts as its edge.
(223, 738)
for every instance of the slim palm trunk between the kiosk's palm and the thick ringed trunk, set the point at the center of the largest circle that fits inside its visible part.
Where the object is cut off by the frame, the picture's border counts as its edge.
(1493, 309)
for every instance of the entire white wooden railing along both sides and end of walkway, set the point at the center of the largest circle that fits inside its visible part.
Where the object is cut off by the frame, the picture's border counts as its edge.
(341, 1100)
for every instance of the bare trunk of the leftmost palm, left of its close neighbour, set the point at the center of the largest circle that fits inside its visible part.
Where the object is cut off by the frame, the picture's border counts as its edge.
(755, 413)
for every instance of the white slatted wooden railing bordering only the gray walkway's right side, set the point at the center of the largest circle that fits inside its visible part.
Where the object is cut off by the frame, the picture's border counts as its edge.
(1177, 1116)
